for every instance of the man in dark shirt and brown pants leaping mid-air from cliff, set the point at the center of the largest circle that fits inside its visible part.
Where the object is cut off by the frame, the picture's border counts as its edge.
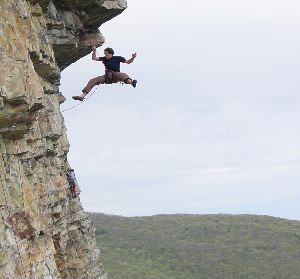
(112, 71)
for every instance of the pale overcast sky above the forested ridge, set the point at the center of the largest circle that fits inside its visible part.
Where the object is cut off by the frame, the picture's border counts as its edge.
(213, 125)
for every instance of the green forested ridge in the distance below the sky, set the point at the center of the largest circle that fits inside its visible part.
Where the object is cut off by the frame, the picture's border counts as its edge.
(199, 247)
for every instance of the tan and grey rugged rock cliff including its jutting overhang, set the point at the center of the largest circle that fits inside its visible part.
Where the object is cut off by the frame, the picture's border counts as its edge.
(44, 232)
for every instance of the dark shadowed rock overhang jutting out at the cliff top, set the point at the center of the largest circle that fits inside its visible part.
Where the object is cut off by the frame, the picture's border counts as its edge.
(73, 25)
